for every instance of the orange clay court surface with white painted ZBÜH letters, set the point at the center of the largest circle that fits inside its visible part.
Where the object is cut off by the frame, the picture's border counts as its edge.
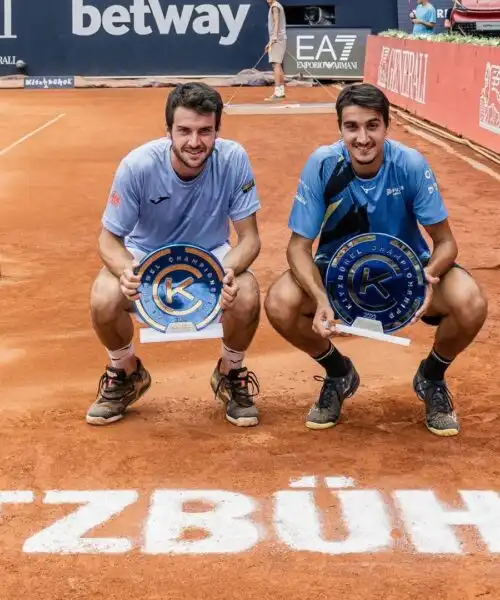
(201, 509)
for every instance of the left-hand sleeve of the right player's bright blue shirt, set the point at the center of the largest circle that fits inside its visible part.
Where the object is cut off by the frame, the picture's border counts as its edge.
(308, 207)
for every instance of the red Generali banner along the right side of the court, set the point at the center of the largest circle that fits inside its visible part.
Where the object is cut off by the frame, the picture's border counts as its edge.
(456, 86)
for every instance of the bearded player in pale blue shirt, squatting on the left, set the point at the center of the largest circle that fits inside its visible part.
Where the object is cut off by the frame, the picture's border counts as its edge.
(186, 187)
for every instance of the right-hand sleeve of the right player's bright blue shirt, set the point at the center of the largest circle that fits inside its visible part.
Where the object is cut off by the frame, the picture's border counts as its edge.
(428, 204)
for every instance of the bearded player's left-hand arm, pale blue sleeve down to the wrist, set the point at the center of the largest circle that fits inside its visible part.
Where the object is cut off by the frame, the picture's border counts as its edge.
(118, 220)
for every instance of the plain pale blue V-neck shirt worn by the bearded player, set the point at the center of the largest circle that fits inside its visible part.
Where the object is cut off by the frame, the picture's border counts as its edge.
(150, 206)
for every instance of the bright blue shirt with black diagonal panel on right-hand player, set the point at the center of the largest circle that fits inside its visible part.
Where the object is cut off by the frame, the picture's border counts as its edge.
(402, 194)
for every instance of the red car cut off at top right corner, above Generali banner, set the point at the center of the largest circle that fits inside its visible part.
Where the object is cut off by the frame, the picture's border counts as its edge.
(476, 17)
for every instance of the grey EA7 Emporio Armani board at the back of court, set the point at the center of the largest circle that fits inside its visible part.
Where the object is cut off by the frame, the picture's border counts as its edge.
(326, 52)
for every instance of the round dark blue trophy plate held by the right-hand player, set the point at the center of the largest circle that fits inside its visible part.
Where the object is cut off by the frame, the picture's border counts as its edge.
(376, 276)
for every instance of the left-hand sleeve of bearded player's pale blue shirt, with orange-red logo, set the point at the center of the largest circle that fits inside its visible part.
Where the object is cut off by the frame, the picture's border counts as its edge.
(122, 209)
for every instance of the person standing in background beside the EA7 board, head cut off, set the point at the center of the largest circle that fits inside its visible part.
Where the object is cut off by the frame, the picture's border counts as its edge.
(276, 47)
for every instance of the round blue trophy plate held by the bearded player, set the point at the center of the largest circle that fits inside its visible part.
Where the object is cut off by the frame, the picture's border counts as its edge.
(180, 290)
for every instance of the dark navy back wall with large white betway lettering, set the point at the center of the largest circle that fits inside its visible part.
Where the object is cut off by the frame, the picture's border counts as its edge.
(152, 37)
